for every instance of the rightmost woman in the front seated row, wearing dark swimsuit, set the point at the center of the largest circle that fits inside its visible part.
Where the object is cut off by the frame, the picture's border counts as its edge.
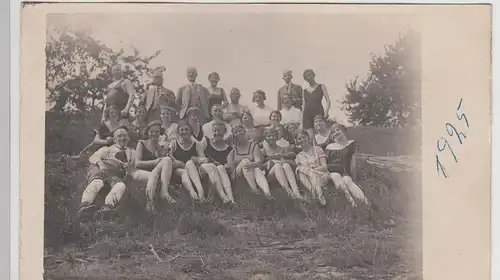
(341, 159)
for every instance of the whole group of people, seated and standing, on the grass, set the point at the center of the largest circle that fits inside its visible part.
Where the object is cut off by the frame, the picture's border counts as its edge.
(203, 140)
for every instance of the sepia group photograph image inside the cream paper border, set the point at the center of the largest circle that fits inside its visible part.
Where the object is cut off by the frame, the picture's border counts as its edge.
(193, 143)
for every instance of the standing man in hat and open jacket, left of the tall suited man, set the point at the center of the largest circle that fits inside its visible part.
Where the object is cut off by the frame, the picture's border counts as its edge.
(157, 95)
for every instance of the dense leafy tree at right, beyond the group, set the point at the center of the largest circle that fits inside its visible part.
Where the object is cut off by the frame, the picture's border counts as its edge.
(390, 96)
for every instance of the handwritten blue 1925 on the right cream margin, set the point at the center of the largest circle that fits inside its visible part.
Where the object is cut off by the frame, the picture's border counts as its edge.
(444, 144)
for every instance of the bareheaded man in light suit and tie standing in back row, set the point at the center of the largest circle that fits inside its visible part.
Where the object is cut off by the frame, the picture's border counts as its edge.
(193, 95)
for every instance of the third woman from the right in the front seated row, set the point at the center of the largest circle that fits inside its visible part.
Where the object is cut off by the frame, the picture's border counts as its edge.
(277, 165)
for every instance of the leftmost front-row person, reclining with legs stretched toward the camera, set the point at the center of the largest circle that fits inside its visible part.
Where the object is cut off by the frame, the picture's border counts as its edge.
(114, 165)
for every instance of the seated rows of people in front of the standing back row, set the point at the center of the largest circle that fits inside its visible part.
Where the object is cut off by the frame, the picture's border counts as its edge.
(189, 152)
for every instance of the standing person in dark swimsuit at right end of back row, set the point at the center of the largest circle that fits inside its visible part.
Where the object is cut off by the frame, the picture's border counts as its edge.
(313, 97)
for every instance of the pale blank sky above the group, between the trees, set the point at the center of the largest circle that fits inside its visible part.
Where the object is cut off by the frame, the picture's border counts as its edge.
(250, 50)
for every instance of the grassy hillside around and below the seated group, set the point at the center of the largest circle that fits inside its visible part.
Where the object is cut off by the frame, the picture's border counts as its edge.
(255, 239)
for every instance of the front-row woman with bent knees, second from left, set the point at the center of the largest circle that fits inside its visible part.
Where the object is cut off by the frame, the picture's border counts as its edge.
(149, 159)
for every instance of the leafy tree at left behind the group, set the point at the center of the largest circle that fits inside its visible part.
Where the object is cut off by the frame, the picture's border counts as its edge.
(78, 70)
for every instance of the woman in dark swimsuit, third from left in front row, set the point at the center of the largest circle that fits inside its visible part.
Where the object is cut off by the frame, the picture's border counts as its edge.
(189, 162)
